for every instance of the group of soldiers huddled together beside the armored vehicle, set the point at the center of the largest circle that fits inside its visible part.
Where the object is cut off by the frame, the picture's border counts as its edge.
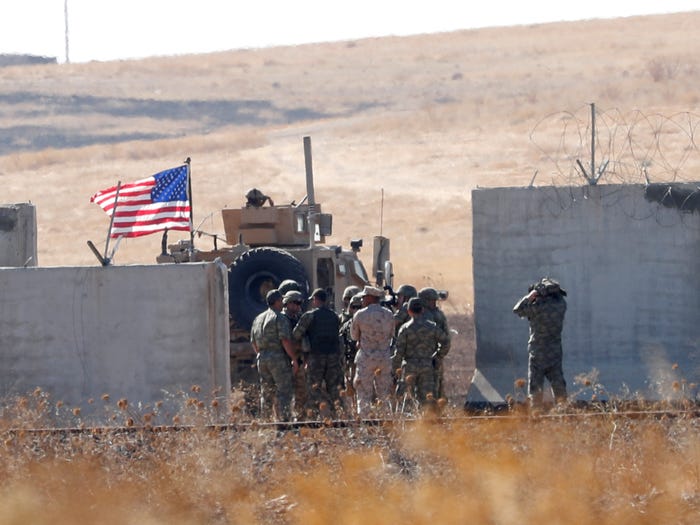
(375, 357)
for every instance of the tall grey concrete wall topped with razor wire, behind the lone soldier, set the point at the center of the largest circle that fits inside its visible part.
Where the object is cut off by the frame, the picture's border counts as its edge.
(631, 267)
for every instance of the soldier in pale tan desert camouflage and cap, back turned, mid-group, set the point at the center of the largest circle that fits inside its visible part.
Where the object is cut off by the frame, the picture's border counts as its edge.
(373, 329)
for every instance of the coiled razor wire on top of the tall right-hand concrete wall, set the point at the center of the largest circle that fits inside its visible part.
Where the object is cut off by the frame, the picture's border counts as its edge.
(653, 150)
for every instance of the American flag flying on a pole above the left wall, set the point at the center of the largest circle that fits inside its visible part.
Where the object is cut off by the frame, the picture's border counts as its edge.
(148, 205)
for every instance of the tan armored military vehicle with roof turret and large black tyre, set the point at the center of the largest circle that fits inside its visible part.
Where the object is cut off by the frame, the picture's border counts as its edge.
(267, 245)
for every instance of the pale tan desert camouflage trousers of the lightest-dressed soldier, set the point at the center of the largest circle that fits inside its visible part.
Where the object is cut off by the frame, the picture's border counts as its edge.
(373, 379)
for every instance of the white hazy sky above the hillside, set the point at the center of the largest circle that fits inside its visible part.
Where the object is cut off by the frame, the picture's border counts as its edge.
(116, 29)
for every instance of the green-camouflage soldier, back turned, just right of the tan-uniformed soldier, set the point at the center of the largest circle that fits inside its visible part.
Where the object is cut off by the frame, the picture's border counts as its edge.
(418, 344)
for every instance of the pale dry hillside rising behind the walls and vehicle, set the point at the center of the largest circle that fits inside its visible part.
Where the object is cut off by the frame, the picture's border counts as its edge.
(402, 128)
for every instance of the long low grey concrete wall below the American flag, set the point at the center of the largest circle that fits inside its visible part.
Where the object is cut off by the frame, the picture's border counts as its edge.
(143, 333)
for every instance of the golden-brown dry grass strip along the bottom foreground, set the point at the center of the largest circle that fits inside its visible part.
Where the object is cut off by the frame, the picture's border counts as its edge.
(596, 469)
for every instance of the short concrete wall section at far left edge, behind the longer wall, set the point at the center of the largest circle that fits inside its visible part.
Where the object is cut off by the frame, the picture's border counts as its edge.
(18, 235)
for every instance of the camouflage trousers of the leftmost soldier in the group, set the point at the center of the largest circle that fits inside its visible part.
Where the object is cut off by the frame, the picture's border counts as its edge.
(275, 383)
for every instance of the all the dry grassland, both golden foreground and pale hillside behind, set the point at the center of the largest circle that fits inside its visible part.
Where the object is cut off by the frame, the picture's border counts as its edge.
(402, 130)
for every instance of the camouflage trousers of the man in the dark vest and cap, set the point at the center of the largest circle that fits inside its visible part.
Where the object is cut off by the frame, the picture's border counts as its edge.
(324, 378)
